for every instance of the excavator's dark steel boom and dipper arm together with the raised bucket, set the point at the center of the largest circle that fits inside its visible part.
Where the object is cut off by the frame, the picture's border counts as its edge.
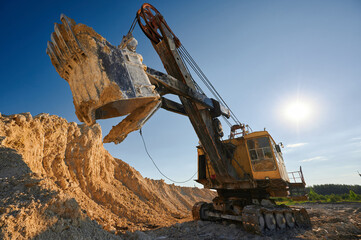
(108, 81)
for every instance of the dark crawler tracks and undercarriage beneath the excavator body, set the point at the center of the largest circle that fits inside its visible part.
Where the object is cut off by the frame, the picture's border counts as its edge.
(256, 216)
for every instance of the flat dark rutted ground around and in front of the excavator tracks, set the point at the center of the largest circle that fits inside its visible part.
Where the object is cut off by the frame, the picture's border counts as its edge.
(329, 221)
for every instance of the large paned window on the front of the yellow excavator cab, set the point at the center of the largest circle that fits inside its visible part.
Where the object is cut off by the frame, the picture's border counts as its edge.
(261, 154)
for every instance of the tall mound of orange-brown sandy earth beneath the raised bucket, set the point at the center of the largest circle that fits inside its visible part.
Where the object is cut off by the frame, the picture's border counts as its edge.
(56, 179)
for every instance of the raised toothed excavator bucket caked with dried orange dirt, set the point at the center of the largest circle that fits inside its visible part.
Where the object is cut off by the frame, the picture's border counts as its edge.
(106, 81)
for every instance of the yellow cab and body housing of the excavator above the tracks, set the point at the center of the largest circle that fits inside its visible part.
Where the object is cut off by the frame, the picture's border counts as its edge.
(257, 160)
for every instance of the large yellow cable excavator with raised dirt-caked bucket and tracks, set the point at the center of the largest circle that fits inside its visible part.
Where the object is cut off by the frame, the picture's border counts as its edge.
(247, 169)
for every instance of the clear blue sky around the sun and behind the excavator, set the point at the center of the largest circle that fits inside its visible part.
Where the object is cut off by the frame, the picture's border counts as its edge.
(260, 55)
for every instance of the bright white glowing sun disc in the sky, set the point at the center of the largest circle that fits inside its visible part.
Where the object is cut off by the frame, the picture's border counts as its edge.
(298, 111)
